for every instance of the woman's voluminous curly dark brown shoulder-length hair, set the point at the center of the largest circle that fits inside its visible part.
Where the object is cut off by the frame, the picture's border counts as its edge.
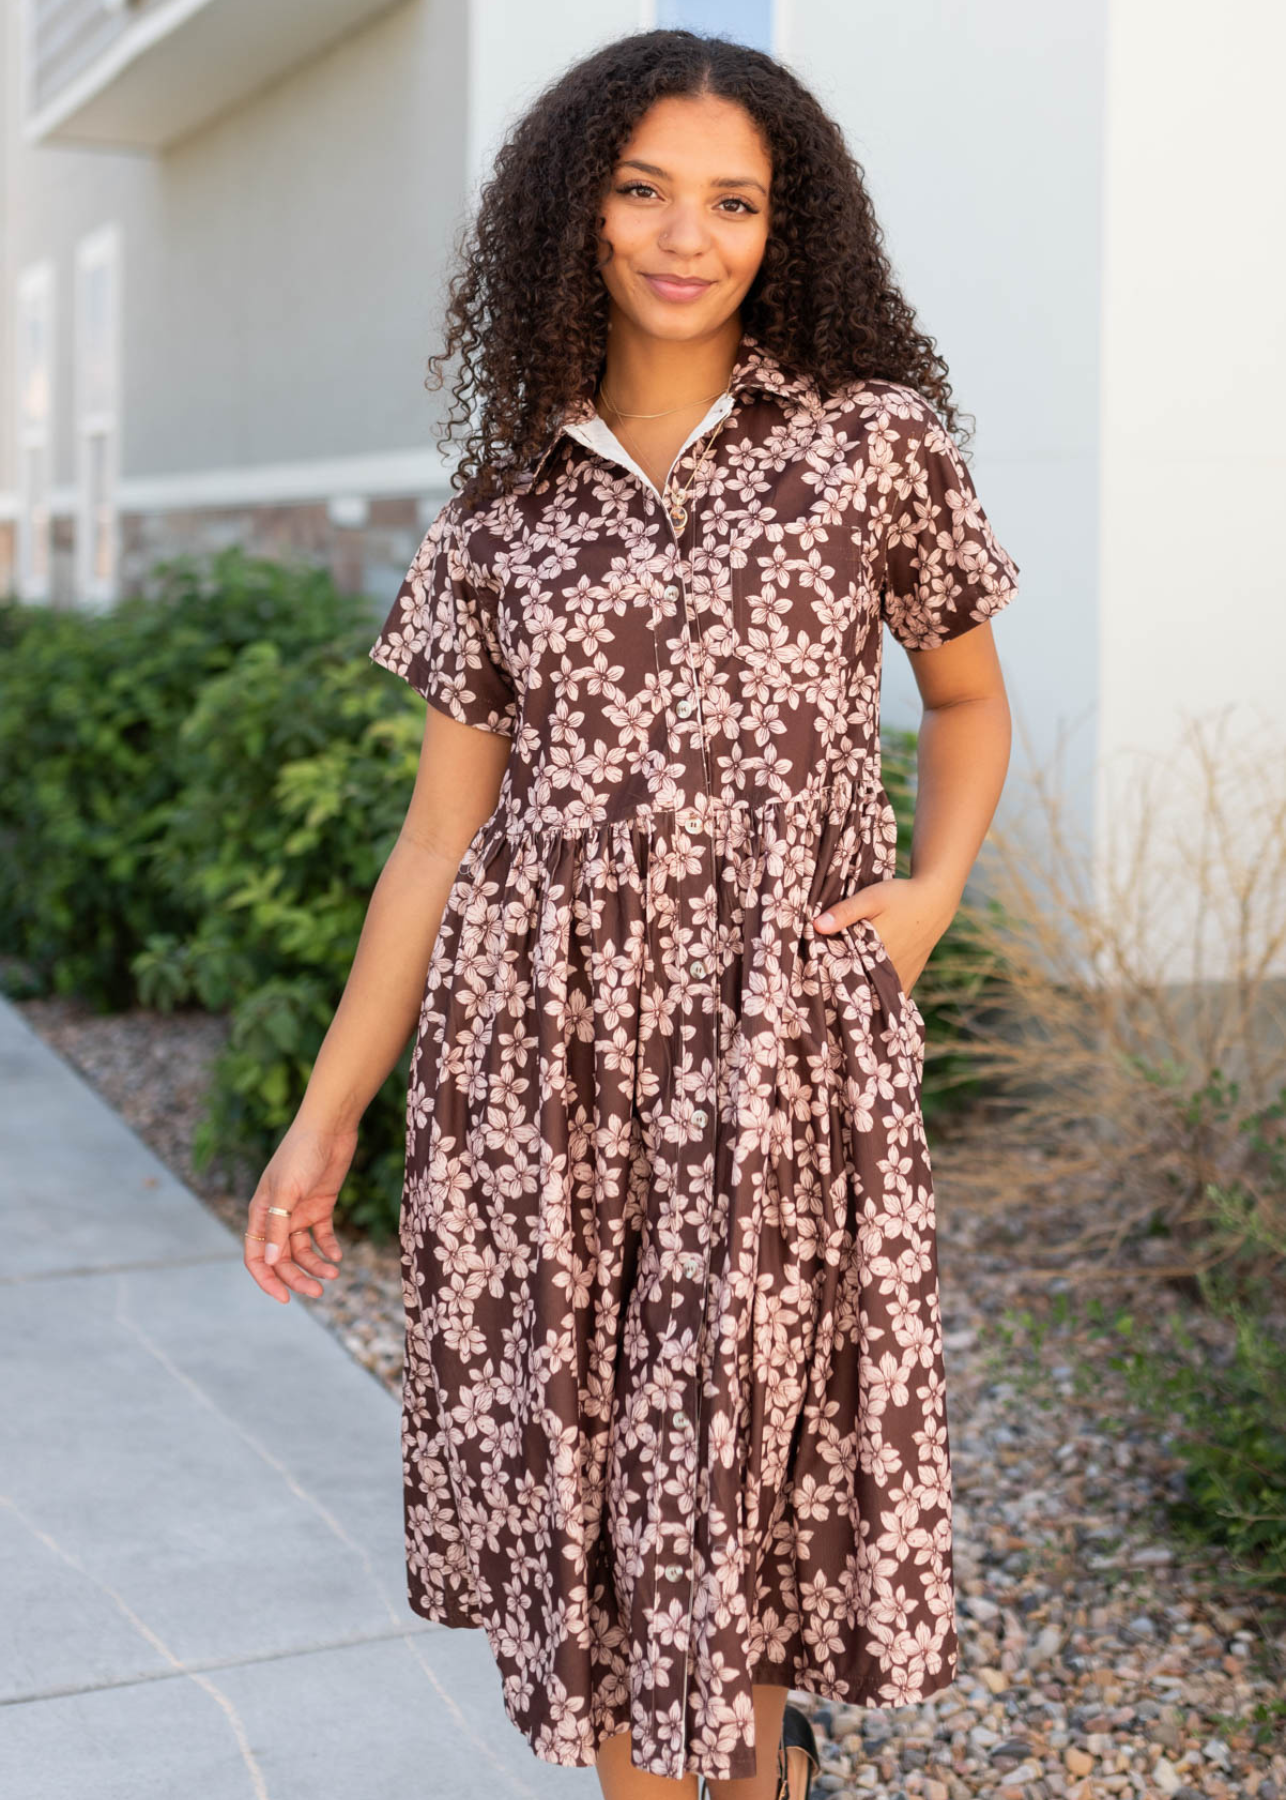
(824, 300)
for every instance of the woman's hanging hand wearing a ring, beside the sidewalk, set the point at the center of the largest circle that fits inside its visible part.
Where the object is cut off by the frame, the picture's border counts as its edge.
(303, 1180)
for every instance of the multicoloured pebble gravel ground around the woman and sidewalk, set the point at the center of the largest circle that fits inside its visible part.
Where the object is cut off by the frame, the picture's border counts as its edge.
(1098, 1657)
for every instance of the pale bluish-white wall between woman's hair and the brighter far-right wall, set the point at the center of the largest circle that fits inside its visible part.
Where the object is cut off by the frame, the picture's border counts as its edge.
(979, 130)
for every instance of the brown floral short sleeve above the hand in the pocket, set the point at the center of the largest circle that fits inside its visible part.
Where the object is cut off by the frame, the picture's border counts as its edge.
(943, 568)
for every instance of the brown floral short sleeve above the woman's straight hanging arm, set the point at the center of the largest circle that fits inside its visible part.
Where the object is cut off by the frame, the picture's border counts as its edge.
(440, 634)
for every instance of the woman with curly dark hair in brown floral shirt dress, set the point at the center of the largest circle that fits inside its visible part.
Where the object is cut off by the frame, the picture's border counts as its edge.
(675, 1412)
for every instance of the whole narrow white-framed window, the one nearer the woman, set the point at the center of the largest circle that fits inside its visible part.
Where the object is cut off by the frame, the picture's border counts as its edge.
(98, 312)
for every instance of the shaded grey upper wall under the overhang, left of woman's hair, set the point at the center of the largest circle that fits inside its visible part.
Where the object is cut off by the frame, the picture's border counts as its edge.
(294, 262)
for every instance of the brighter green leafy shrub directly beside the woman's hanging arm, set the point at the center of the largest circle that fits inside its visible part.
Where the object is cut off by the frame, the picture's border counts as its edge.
(294, 775)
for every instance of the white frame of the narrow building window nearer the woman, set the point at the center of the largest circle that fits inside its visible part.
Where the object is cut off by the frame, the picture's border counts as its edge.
(100, 249)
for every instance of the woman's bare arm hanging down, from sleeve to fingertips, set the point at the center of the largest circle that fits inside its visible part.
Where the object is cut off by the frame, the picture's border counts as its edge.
(458, 784)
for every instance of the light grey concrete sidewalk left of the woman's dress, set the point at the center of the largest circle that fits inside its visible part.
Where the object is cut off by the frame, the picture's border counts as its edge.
(203, 1588)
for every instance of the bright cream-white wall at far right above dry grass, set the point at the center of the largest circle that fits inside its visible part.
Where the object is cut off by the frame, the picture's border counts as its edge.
(1193, 598)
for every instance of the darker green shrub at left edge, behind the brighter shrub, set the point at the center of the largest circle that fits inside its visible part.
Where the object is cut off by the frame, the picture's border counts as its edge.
(91, 708)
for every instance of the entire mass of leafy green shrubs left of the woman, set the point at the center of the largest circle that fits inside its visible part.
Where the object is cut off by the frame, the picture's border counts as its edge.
(197, 795)
